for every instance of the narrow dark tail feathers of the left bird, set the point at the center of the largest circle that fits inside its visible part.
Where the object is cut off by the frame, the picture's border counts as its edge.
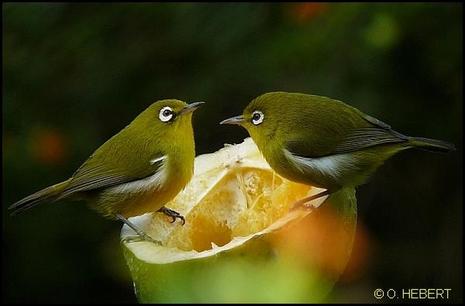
(49, 194)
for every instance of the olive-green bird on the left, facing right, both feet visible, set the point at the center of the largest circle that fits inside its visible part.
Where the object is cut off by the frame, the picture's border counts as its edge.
(136, 171)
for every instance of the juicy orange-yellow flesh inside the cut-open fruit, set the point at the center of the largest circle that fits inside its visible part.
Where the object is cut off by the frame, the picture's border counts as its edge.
(220, 217)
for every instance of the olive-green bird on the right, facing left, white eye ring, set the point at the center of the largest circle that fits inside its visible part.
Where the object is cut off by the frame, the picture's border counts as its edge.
(321, 141)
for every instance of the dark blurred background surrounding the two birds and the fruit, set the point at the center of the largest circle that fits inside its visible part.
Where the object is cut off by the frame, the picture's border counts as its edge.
(75, 74)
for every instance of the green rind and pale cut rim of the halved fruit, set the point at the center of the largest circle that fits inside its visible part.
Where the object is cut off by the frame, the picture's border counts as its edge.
(245, 270)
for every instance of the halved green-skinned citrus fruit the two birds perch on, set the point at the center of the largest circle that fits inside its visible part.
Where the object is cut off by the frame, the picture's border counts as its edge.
(242, 240)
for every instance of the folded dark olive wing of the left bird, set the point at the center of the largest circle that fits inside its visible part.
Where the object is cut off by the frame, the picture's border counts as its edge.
(96, 174)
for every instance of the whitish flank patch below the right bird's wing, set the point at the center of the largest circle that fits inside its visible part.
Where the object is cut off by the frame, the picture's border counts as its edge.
(333, 165)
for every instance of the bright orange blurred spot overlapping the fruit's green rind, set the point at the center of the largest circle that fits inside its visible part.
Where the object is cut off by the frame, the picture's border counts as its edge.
(323, 240)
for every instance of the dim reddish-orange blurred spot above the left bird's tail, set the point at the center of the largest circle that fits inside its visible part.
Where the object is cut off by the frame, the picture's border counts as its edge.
(49, 147)
